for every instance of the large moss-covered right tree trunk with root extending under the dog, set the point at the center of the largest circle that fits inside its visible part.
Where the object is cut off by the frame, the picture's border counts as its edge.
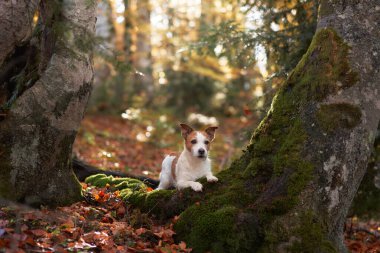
(292, 188)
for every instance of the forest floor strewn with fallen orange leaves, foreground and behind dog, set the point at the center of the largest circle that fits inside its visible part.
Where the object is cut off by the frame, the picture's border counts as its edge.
(104, 223)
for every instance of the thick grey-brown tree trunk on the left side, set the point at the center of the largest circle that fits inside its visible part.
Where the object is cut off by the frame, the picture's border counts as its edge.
(39, 126)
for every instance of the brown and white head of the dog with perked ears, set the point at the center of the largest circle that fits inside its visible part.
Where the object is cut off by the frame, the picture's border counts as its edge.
(198, 142)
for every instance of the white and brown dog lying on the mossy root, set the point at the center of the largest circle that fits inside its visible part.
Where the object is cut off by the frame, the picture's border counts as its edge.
(193, 163)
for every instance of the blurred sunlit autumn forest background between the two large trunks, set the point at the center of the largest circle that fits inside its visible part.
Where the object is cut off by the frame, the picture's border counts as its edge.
(158, 63)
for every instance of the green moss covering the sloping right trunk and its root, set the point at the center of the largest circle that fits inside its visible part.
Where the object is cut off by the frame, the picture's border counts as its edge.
(239, 213)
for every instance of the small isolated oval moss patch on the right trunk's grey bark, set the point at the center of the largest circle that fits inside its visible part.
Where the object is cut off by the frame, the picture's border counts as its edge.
(332, 117)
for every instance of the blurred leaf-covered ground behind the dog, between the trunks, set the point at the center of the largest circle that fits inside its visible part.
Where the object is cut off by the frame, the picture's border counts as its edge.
(138, 147)
